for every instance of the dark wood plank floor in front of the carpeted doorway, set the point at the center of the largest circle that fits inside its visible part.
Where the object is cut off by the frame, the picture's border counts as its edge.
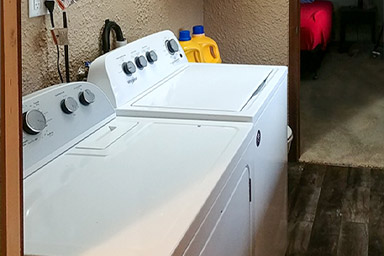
(335, 211)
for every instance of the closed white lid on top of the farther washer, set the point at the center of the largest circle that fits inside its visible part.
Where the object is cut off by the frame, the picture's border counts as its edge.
(208, 87)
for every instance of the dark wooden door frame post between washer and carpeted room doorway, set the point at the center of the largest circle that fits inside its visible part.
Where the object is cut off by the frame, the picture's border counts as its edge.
(294, 77)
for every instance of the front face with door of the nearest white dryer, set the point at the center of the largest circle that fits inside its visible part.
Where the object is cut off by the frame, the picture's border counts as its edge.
(234, 236)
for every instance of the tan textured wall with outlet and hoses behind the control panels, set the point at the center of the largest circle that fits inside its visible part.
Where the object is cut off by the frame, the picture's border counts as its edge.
(137, 18)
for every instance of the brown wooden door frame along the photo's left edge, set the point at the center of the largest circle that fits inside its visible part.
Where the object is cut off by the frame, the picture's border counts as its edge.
(11, 200)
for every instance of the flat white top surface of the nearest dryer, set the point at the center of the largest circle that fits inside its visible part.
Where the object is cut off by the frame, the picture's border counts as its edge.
(139, 197)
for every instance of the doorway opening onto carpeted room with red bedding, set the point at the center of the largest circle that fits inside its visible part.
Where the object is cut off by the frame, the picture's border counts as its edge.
(341, 92)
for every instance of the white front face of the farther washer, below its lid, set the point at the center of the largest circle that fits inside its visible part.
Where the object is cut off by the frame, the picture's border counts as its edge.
(270, 177)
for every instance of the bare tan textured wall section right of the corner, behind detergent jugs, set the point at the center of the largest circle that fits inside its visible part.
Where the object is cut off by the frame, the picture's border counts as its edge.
(249, 31)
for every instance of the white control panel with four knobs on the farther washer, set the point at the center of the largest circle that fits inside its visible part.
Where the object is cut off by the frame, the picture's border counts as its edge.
(126, 72)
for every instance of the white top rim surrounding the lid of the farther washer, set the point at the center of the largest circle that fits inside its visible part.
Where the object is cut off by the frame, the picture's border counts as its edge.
(250, 112)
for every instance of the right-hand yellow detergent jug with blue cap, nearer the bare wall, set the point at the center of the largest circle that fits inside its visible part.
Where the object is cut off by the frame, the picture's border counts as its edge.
(209, 48)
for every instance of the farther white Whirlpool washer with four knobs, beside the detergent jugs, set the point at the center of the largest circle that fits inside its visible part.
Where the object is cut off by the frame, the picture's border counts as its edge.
(151, 77)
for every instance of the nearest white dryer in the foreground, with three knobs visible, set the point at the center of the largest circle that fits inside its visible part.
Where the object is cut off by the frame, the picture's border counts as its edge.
(97, 184)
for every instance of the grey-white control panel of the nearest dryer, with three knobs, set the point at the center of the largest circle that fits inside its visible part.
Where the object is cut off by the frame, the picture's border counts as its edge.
(58, 117)
